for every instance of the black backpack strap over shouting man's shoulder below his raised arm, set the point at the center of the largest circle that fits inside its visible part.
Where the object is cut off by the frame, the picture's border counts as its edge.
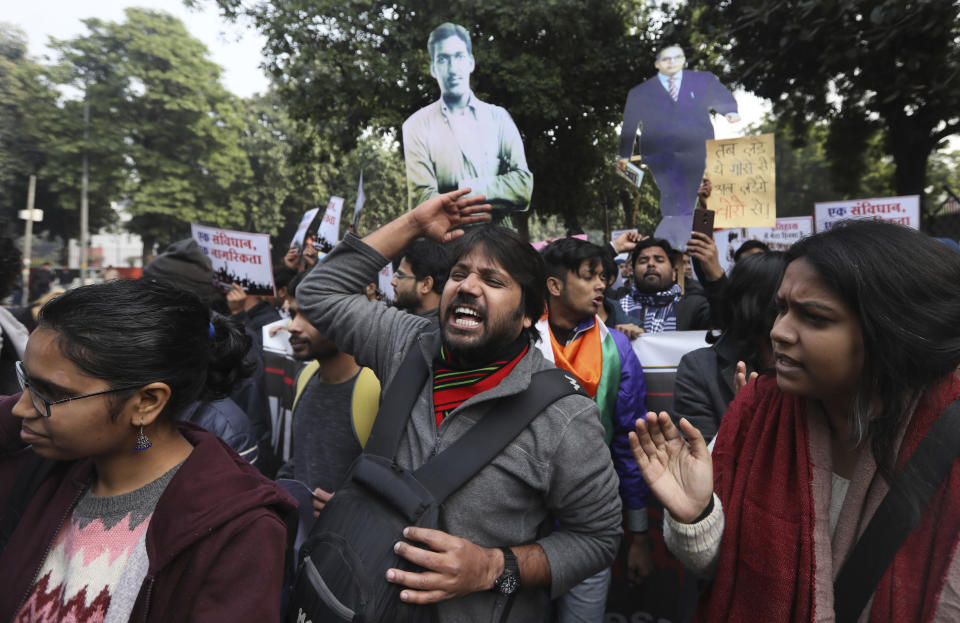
(397, 403)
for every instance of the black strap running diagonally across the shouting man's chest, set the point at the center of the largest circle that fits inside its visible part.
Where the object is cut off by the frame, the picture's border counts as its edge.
(450, 469)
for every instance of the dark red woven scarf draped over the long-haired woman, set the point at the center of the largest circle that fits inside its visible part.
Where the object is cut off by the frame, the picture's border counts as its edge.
(763, 475)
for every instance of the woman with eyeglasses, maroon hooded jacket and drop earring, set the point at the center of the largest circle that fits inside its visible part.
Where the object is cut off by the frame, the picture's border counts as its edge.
(133, 516)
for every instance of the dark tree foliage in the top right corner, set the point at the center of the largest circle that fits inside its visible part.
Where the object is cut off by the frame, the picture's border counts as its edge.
(861, 65)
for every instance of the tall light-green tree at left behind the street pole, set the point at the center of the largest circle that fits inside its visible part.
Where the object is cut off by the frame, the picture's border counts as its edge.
(164, 134)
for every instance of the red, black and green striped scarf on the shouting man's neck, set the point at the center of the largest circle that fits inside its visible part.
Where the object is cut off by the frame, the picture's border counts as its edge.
(452, 386)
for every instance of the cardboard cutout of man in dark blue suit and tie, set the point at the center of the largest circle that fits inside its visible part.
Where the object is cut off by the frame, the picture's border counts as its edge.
(674, 110)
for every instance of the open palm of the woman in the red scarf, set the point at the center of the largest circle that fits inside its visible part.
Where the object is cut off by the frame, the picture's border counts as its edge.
(679, 471)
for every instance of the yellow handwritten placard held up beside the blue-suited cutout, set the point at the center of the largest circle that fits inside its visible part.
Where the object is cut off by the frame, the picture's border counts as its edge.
(743, 175)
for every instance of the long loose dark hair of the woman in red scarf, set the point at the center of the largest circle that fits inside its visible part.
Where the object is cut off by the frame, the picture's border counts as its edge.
(905, 288)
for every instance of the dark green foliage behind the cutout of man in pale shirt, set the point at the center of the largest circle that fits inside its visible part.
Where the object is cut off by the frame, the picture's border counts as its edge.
(561, 68)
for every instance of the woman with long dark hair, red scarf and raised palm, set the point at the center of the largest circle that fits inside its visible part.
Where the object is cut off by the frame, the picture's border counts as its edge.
(867, 344)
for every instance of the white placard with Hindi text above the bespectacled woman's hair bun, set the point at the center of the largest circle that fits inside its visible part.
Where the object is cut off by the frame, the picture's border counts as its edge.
(237, 257)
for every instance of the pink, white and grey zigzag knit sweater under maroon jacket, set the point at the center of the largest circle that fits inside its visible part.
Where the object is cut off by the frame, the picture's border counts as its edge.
(102, 541)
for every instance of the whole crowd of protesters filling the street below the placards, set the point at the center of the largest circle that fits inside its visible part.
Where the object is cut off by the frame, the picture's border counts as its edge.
(146, 473)
